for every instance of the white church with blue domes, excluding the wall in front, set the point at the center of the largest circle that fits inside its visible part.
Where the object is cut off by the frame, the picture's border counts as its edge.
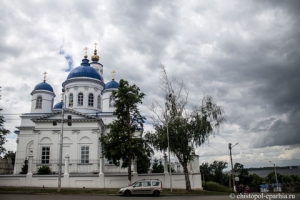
(88, 107)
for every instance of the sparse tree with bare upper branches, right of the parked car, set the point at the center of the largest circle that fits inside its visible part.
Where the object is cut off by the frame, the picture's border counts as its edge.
(187, 129)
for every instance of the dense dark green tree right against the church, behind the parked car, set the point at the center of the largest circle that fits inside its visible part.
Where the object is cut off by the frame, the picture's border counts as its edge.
(124, 141)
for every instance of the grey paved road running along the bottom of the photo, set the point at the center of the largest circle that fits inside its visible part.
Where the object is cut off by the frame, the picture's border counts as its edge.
(114, 197)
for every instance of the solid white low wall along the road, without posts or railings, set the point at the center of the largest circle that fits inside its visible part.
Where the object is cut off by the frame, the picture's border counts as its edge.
(95, 180)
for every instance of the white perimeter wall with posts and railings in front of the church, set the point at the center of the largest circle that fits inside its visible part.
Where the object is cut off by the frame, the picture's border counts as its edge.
(92, 175)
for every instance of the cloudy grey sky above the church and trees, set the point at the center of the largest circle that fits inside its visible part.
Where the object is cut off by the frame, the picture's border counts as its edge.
(245, 54)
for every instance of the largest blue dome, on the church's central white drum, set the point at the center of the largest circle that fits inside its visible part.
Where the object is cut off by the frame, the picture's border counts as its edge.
(84, 70)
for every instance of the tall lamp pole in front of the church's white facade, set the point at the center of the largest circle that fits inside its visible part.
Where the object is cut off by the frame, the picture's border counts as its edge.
(61, 143)
